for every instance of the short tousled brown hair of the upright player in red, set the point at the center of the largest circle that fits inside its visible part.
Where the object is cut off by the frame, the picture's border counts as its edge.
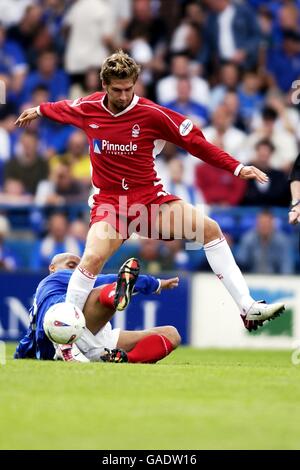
(121, 66)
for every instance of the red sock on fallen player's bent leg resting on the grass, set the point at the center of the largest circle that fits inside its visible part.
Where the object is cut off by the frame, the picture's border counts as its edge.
(150, 349)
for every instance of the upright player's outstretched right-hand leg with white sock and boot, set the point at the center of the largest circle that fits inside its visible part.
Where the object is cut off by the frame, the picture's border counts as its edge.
(219, 256)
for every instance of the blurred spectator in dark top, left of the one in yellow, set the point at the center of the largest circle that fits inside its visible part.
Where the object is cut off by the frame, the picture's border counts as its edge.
(27, 167)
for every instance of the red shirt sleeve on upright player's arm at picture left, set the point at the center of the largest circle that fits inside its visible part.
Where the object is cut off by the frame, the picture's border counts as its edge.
(66, 112)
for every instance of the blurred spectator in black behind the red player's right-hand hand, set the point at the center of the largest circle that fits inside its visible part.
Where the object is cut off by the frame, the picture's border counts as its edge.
(273, 193)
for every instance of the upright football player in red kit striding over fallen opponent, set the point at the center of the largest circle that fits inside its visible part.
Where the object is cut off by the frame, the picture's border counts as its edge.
(125, 133)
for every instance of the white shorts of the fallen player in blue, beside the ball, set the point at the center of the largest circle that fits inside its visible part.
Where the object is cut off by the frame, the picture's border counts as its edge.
(92, 346)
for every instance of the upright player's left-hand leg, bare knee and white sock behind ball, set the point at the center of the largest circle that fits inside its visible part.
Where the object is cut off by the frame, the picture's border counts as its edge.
(102, 241)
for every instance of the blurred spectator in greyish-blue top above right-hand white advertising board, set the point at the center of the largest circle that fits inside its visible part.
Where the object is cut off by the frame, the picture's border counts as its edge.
(265, 249)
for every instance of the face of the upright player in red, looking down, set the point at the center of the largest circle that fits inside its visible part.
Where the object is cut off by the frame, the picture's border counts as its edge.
(119, 94)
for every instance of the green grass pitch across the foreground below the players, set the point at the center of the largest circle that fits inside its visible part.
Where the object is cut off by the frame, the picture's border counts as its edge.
(194, 399)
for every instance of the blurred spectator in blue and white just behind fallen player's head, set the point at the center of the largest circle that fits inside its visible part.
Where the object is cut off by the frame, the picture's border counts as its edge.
(58, 240)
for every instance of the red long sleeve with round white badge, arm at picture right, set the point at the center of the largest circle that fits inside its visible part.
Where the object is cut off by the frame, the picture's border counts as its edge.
(179, 130)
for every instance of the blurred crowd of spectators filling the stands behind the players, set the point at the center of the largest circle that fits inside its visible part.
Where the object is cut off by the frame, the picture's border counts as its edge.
(230, 66)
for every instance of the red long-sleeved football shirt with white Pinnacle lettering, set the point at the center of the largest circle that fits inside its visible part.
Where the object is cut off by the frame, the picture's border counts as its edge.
(123, 146)
